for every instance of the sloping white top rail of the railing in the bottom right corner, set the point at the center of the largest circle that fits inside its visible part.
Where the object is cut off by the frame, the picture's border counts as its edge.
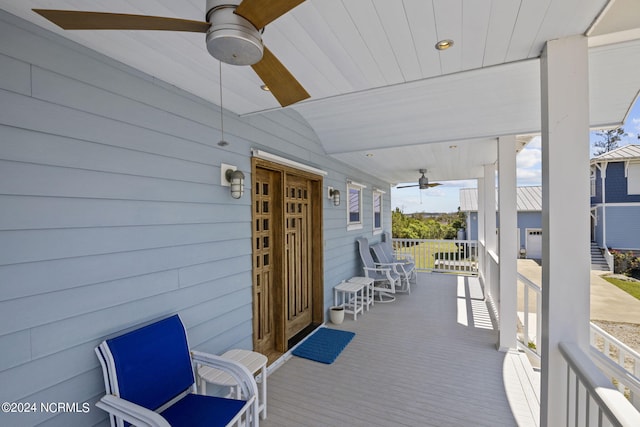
(618, 410)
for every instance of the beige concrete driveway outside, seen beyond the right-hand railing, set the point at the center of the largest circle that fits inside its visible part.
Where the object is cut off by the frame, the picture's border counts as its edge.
(608, 302)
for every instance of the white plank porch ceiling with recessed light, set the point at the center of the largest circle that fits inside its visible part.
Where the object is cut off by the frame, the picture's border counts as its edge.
(377, 83)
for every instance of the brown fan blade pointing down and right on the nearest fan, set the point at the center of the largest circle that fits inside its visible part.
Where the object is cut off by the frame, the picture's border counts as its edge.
(280, 81)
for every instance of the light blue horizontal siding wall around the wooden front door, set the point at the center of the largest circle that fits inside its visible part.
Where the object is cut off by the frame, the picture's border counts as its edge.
(112, 214)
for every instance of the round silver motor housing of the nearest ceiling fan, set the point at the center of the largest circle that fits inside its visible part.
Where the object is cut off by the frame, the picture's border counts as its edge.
(231, 38)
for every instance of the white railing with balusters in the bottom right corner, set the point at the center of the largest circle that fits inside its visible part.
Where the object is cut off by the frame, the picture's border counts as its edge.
(591, 398)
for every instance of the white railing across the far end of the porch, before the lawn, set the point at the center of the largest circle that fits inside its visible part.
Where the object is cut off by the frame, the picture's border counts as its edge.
(458, 256)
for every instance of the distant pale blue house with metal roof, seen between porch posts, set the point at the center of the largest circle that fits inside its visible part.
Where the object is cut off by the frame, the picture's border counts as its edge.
(529, 208)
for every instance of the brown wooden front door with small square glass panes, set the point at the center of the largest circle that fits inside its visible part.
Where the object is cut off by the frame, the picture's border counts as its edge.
(287, 266)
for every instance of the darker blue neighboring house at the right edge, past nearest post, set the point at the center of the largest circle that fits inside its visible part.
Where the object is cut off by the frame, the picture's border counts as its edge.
(615, 199)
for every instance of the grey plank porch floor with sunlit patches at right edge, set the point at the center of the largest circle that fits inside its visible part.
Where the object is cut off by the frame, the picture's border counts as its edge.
(428, 359)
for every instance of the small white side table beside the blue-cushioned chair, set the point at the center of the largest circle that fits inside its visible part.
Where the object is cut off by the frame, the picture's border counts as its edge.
(253, 361)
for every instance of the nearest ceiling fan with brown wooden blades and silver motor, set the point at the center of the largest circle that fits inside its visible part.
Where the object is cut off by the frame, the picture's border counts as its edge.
(234, 35)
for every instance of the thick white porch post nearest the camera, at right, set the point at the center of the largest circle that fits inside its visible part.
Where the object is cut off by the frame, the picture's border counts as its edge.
(565, 215)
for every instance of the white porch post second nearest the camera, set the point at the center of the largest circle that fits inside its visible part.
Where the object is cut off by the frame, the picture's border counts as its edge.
(507, 210)
